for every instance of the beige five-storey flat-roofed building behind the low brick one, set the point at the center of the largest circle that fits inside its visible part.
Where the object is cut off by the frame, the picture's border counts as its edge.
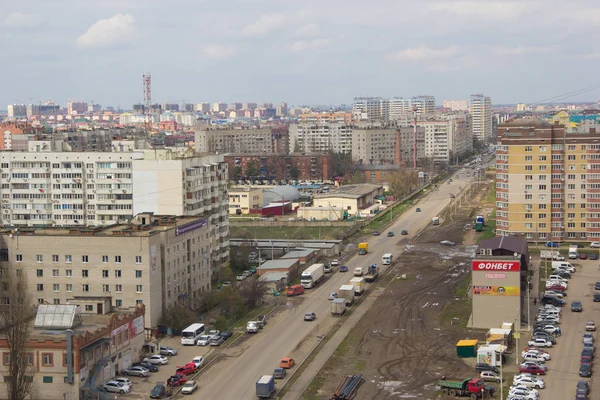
(157, 261)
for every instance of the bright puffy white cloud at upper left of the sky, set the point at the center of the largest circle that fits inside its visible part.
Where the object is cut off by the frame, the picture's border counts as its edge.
(115, 30)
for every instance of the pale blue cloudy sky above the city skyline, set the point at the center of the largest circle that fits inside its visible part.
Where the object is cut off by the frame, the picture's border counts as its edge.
(302, 52)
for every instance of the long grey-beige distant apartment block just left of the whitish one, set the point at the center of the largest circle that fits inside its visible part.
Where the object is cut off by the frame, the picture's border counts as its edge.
(211, 139)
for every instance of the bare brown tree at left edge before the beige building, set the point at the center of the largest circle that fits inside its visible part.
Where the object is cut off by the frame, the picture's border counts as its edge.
(16, 312)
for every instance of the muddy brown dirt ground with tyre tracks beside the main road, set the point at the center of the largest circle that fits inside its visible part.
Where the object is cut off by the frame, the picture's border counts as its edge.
(407, 340)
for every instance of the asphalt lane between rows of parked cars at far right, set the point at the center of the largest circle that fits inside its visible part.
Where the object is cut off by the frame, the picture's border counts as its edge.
(563, 368)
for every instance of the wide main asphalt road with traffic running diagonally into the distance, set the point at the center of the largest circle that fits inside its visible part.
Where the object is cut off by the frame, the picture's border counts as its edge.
(287, 334)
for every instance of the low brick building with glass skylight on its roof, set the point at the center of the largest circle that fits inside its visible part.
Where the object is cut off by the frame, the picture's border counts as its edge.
(100, 347)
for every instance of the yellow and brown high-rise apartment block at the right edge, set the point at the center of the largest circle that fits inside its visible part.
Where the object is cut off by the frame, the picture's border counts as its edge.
(547, 182)
